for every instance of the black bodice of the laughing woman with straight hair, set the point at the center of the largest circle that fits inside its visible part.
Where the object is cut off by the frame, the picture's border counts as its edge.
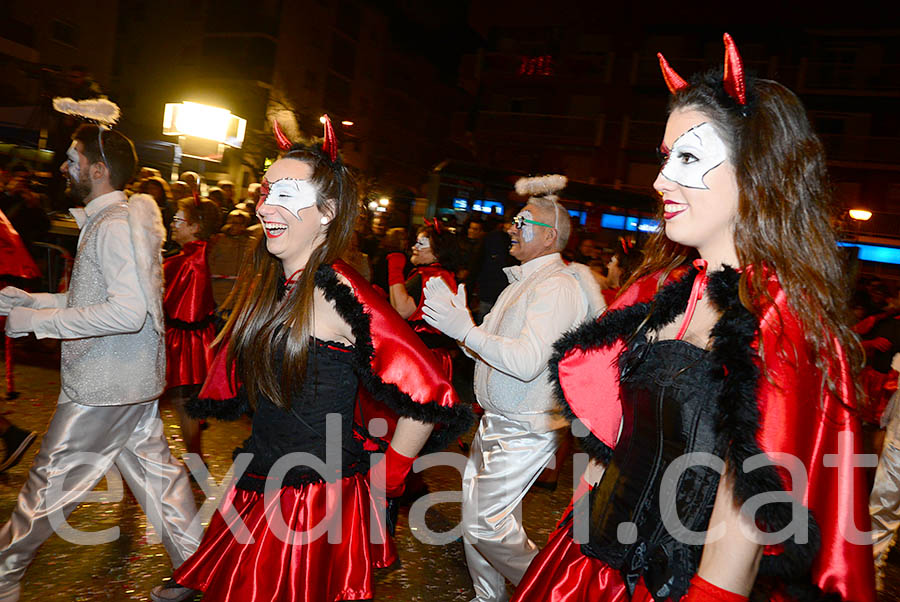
(329, 388)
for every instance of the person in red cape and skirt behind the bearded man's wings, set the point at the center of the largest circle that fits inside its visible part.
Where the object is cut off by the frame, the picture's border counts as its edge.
(189, 309)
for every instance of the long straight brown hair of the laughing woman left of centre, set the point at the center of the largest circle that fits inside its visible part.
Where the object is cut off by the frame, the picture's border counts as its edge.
(264, 320)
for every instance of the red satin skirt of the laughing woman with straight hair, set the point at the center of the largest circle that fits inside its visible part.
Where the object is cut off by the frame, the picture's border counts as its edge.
(271, 570)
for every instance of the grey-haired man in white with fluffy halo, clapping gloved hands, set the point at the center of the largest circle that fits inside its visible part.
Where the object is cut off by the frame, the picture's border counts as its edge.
(519, 431)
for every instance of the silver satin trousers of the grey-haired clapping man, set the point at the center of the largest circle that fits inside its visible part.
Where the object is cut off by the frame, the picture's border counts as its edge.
(505, 459)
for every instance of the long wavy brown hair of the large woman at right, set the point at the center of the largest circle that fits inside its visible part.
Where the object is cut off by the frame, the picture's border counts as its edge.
(785, 206)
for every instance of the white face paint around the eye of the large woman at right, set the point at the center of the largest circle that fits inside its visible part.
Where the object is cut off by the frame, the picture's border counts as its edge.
(694, 154)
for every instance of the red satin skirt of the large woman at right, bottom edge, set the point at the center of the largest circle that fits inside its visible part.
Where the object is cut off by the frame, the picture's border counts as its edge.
(561, 573)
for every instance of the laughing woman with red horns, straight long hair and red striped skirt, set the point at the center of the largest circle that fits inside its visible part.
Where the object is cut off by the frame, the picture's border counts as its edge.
(306, 331)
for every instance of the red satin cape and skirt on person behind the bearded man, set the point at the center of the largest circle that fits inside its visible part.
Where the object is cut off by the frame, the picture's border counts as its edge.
(188, 298)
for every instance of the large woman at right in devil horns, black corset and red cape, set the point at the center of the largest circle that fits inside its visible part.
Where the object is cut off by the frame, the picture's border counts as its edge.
(730, 344)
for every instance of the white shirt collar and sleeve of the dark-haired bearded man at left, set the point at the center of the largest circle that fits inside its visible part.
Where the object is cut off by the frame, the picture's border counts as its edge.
(125, 308)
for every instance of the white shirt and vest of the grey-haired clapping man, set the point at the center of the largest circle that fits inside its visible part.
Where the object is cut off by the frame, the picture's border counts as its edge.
(515, 341)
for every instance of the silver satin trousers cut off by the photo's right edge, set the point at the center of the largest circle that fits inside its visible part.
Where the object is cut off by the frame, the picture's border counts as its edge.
(884, 503)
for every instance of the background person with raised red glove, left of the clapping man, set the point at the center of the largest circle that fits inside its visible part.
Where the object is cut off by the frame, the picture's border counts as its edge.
(435, 255)
